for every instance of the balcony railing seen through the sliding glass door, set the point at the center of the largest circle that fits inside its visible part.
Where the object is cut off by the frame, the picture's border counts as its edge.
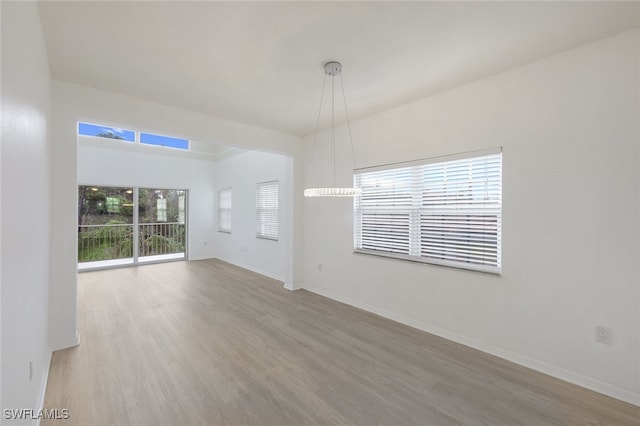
(115, 241)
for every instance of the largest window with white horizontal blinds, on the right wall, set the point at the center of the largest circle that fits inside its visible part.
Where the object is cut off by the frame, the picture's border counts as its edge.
(442, 212)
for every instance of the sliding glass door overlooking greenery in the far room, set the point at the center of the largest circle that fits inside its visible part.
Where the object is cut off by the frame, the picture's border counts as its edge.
(120, 226)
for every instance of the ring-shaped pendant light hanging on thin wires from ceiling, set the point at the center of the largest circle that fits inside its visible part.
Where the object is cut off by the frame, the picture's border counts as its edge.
(333, 69)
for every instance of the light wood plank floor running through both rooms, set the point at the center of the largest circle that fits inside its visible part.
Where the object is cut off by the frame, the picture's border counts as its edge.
(207, 343)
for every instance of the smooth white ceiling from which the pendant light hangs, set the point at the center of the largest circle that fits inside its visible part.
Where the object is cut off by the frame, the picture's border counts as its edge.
(261, 62)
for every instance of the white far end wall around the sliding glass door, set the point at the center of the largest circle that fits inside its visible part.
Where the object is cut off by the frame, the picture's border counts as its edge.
(128, 168)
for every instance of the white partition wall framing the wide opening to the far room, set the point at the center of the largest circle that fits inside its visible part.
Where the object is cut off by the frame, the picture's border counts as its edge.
(73, 103)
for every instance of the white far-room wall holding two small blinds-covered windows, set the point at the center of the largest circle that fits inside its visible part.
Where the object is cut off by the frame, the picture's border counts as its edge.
(241, 247)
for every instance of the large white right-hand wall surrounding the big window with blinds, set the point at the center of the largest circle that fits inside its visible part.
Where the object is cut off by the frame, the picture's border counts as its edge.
(569, 128)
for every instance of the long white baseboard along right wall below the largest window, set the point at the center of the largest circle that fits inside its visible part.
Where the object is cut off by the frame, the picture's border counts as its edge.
(534, 364)
